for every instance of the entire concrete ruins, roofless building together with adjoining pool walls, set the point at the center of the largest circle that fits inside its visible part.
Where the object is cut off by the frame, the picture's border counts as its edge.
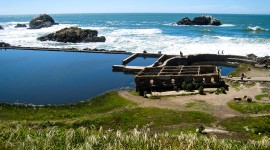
(170, 72)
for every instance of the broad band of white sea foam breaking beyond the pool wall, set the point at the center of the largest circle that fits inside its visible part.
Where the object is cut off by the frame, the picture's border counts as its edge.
(138, 40)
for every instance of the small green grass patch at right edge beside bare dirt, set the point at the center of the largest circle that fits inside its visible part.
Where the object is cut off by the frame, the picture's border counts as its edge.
(250, 108)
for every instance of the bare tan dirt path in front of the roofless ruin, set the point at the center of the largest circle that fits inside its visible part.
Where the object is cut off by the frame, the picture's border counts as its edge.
(210, 103)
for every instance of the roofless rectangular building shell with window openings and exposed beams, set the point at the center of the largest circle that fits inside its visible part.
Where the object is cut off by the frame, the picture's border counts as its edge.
(172, 77)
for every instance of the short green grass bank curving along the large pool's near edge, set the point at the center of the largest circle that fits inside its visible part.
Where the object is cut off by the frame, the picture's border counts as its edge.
(100, 104)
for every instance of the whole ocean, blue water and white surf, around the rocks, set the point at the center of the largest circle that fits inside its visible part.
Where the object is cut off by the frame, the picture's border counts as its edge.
(239, 34)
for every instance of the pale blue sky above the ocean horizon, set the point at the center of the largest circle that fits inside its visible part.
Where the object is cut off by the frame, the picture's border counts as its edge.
(10, 7)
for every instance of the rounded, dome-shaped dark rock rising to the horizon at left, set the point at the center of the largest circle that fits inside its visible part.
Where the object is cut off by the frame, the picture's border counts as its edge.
(41, 21)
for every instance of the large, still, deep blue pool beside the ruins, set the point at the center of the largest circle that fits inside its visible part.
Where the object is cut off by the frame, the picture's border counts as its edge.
(50, 77)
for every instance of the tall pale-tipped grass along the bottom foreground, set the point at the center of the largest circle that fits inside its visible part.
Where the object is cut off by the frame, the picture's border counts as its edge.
(84, 138)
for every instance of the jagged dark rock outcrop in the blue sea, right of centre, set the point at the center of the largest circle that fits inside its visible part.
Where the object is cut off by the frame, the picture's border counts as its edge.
(201, 20)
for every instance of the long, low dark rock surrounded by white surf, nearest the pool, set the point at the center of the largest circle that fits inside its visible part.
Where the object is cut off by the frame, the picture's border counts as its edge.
(73, 35)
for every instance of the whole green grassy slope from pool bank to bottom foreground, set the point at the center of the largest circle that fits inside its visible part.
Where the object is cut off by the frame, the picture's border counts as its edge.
(110, 121)
